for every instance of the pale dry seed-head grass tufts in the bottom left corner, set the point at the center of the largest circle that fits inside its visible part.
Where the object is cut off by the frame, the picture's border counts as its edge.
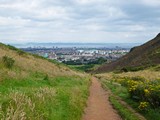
(21, 107)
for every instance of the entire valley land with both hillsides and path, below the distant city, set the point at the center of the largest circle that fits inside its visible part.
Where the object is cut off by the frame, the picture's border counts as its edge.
(34, 87)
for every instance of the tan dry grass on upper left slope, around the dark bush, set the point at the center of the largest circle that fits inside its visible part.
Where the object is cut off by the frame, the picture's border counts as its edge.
(26, 64)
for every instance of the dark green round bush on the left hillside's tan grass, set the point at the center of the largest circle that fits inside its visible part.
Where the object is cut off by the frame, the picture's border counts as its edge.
(8, 62)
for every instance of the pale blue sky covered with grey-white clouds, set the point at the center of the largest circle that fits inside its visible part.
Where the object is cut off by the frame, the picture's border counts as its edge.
(91, 21)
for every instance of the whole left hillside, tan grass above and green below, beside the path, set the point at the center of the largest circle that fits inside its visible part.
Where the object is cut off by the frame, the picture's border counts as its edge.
(32, 87)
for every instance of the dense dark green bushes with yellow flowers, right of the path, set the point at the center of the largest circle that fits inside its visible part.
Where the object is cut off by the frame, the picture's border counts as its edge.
(144, 91)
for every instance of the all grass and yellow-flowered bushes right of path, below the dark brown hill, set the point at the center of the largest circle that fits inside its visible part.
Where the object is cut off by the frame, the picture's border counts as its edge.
(141, 90)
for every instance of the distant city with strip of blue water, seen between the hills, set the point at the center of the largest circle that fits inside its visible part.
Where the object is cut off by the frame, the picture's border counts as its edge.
(79, 53)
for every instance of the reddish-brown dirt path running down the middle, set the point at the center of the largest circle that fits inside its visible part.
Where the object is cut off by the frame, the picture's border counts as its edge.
(98, 105)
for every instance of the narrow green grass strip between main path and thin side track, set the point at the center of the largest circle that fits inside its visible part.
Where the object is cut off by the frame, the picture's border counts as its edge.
(123, 111)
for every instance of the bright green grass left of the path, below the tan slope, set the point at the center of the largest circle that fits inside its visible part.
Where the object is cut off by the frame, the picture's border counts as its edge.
(58, 98)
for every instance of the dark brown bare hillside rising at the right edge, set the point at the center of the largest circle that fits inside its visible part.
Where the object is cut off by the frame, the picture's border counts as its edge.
(139, 57)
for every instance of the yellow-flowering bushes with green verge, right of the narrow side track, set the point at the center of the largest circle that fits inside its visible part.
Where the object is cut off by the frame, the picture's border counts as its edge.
(140, 93)
